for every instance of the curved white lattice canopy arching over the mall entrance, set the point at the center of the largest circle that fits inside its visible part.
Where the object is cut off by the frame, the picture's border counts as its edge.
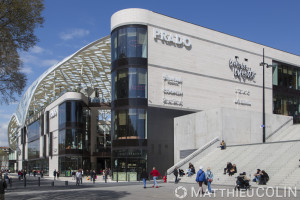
(87, 70)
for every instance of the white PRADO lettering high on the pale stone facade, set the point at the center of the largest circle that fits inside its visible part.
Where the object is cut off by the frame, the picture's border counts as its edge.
(171, 37)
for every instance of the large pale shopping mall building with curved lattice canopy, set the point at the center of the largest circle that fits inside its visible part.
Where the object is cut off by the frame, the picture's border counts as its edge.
(150, 93)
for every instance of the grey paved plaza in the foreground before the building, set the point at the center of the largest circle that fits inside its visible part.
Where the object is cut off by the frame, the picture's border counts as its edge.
(134, 191)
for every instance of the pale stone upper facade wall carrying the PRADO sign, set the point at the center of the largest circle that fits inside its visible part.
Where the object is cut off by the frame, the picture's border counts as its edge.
(207, 80)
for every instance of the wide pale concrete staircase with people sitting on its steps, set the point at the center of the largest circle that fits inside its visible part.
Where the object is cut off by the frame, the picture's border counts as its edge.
(279, 160)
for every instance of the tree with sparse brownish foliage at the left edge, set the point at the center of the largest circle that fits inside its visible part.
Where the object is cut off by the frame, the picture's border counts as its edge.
(18, 19)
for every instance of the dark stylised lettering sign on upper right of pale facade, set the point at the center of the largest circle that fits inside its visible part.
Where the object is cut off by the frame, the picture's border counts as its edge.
(240, 70)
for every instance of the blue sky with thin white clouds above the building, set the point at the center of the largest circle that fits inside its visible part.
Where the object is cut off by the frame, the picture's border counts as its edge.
(72, 24)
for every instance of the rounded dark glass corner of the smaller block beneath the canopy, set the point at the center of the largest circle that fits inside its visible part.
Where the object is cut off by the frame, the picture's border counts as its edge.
(73, 137)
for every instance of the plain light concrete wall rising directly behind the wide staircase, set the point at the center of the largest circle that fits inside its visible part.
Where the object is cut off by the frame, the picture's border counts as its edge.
(234, 126)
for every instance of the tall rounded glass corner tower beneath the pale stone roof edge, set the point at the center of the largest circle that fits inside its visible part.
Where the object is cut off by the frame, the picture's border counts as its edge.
(129, 101)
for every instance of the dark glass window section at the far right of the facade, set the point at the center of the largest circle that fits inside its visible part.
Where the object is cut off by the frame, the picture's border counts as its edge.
(286, 90)
